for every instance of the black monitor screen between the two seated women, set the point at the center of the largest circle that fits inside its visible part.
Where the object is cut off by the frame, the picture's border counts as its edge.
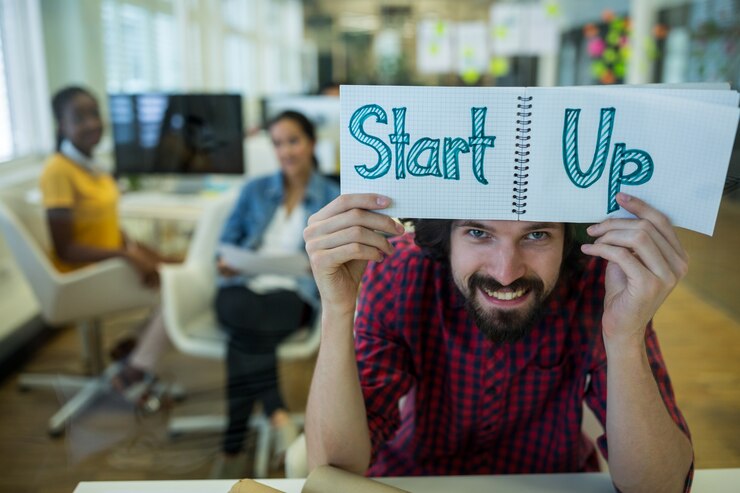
(177, 133)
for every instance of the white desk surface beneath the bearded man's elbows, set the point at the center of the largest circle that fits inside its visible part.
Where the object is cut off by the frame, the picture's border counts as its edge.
(705, 481)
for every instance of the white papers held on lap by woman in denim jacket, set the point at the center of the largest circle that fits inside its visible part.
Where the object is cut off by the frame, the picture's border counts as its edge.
(249, 262)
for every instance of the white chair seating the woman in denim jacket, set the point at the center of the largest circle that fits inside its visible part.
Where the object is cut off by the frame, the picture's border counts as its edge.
(188, 292)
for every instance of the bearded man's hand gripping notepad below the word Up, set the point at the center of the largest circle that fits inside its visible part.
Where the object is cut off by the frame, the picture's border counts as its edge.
(646, 261)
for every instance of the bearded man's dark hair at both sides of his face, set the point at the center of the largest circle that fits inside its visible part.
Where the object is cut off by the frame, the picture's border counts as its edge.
(433, 237)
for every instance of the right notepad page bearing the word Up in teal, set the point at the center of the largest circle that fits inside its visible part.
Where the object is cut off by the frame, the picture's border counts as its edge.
(689, 142)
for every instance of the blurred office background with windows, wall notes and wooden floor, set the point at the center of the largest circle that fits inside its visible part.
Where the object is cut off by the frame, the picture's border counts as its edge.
(290, 53)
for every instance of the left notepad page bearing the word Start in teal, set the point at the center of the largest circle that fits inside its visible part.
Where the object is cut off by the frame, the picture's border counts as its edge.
(433, 113)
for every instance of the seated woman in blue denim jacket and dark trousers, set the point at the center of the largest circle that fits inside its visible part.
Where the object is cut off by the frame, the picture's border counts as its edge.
(258, 312)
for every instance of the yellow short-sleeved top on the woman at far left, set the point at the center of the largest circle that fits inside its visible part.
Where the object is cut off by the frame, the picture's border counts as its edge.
(93, 199)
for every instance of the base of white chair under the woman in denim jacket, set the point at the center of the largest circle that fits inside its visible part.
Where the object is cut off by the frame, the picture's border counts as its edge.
(217, 423)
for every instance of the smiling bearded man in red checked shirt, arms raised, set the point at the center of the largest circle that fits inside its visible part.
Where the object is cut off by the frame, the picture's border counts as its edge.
(474, 345)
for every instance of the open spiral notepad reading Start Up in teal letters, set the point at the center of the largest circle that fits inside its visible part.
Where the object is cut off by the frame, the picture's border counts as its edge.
(539, 154)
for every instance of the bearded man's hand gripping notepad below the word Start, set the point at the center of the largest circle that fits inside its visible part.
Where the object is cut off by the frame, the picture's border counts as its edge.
(340, 240)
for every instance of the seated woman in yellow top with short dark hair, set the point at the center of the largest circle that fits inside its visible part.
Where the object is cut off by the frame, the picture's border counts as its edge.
(81, 207)
